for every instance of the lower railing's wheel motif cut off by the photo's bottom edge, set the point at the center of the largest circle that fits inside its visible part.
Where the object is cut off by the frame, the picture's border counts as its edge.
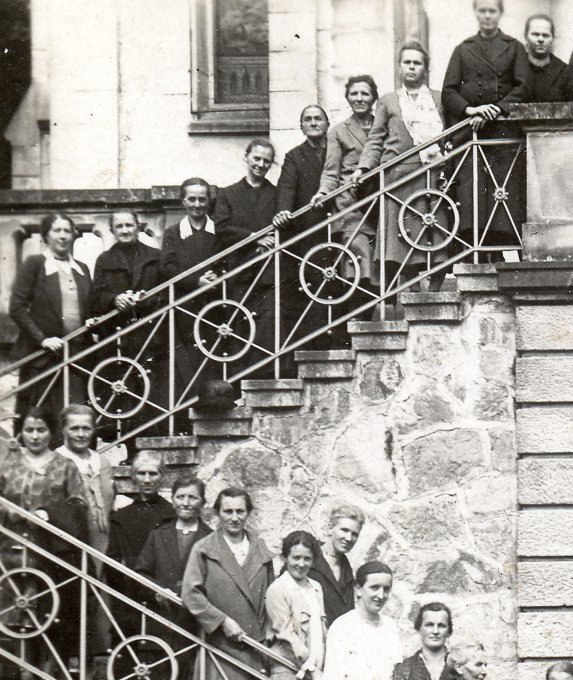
(132, 648)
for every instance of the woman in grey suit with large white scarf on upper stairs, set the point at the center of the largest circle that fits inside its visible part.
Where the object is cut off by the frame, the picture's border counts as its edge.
(406, 118)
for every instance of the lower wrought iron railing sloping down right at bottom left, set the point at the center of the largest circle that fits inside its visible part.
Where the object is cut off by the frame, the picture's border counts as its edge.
(38, 588)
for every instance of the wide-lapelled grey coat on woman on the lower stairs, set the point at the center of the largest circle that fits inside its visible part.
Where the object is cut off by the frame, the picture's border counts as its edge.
(215, 586)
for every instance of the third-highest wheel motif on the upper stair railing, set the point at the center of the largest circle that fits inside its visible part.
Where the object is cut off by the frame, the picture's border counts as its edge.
(225, 320)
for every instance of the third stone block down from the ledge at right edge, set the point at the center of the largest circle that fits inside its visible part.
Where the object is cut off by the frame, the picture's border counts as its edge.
(547, 429)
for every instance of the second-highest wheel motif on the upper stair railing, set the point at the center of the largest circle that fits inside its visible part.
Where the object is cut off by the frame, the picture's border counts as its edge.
(329, 258)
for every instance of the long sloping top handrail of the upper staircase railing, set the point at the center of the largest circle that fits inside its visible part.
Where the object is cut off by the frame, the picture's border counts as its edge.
(253, 238)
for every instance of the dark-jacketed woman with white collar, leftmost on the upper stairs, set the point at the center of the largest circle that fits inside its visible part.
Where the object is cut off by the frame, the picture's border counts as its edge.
(49, 300)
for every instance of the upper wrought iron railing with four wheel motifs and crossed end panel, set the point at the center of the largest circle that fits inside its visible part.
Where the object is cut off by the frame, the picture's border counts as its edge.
(270, 302)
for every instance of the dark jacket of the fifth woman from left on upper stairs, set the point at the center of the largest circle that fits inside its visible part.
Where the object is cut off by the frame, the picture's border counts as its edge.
(299, 181)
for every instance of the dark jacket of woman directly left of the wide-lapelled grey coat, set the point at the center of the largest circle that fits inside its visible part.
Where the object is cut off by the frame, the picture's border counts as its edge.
(160, 559)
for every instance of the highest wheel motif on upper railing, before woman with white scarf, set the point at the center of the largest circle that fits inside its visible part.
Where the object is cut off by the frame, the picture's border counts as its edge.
(429, 221)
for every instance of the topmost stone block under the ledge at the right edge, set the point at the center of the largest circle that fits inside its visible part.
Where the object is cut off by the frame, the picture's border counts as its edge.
(544, 327)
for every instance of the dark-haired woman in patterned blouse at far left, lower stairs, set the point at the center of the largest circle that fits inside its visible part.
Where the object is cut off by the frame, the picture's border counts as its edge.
(41, 481)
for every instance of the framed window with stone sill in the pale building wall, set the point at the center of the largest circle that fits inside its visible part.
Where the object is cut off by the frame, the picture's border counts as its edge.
(230, 66)
